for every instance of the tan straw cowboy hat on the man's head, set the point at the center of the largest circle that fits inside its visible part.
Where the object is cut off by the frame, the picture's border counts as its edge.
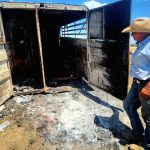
(141, 24)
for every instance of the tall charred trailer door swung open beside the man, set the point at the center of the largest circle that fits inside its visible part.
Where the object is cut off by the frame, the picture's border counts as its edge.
(108, 47)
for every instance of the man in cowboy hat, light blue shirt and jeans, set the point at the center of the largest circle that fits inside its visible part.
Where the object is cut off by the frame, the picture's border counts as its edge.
(139, 94)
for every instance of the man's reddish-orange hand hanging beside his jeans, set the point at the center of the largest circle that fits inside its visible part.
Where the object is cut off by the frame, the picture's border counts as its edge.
(145, 91)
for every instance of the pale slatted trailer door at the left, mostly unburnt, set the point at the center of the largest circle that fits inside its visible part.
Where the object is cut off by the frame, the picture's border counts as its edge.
(5, 75)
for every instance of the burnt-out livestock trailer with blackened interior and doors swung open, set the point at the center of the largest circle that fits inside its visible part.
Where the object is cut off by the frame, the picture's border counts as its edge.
(45, 42)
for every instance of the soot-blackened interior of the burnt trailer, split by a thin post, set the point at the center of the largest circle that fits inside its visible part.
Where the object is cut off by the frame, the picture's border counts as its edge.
(63, 58)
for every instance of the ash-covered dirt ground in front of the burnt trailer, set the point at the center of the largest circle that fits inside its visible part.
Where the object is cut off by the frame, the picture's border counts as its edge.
(79, 120)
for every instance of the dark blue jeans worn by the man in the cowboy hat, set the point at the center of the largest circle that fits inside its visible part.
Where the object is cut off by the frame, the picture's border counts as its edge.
(131, 103)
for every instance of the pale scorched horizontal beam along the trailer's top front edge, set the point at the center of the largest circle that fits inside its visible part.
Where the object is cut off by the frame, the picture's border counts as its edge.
(50, 6)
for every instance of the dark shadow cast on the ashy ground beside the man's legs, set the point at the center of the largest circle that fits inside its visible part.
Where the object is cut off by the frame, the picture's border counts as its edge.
(116, 126)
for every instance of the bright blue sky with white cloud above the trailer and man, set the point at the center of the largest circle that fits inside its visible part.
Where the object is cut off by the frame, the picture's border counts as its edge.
(139, 8)
